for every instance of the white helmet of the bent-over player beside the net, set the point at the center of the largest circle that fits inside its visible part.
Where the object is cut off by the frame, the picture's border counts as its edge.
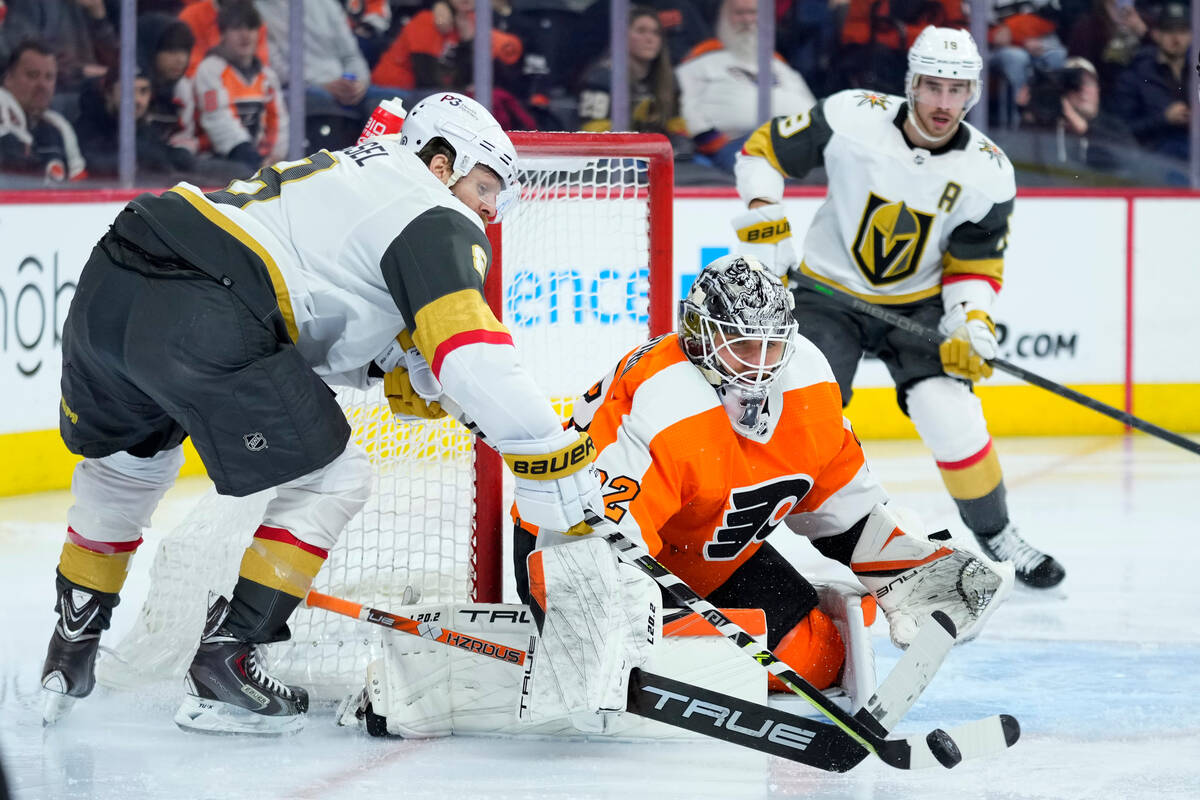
(475, 135)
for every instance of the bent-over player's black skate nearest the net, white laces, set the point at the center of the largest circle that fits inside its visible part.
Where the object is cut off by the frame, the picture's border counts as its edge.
(230, 690)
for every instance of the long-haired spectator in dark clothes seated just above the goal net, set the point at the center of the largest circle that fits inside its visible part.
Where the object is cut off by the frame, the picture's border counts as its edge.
(653, 95)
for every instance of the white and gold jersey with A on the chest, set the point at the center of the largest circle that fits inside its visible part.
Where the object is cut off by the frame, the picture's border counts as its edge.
(899, 221)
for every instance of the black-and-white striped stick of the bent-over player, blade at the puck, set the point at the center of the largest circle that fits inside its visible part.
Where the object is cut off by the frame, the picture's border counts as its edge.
(863, 727)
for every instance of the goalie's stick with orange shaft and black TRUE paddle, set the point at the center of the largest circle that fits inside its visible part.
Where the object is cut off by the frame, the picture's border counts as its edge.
(656, 697)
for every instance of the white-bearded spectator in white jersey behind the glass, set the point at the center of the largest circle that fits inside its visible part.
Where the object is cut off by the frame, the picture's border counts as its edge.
(718, 85)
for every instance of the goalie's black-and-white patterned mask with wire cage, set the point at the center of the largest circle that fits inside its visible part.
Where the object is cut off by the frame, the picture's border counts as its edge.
(736, 326)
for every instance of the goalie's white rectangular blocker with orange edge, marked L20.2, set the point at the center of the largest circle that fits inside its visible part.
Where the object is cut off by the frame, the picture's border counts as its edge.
(597, 619)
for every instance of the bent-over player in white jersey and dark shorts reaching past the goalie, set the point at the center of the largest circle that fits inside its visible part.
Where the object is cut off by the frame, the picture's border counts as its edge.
(226, 316)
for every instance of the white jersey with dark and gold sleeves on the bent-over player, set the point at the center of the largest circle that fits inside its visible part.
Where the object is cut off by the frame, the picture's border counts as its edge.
(361, 245)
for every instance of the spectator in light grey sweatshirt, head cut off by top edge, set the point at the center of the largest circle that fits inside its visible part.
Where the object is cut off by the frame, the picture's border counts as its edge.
(338, 88)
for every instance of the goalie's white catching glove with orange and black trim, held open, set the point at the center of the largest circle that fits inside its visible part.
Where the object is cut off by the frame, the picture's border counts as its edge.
(913, 576)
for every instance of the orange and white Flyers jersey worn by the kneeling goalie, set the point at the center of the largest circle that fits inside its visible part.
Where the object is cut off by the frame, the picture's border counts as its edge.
(704, 497)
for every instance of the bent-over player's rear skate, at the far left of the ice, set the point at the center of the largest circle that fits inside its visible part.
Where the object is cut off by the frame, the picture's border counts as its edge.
(70, 669)
